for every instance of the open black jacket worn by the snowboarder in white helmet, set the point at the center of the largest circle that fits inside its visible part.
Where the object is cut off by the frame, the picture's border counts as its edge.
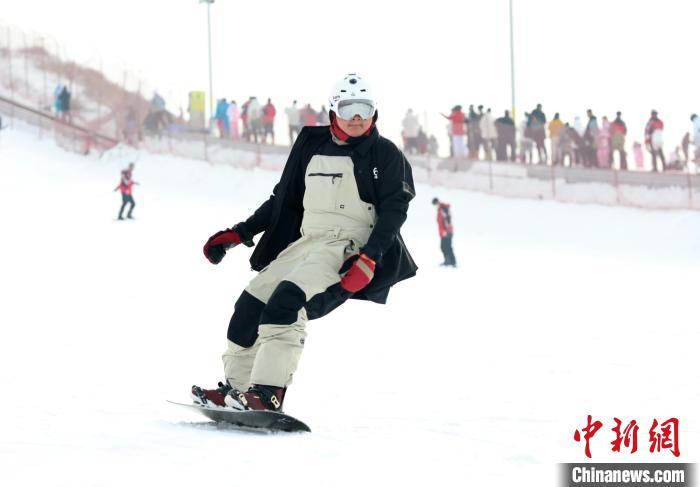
(384, 178)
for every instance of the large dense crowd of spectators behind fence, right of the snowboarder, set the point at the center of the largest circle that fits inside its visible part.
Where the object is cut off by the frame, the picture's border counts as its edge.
(477, 135)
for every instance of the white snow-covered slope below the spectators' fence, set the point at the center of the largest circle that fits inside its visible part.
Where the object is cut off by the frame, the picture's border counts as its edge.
(473, 376)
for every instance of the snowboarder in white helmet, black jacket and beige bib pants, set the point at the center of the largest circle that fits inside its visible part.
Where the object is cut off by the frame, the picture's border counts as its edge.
(330, 233)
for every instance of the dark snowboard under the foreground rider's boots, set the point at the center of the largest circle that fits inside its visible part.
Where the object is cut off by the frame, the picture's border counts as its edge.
(270, 421)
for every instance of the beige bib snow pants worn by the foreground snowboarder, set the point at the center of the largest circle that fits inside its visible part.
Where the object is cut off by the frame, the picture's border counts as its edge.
(336, 223)
